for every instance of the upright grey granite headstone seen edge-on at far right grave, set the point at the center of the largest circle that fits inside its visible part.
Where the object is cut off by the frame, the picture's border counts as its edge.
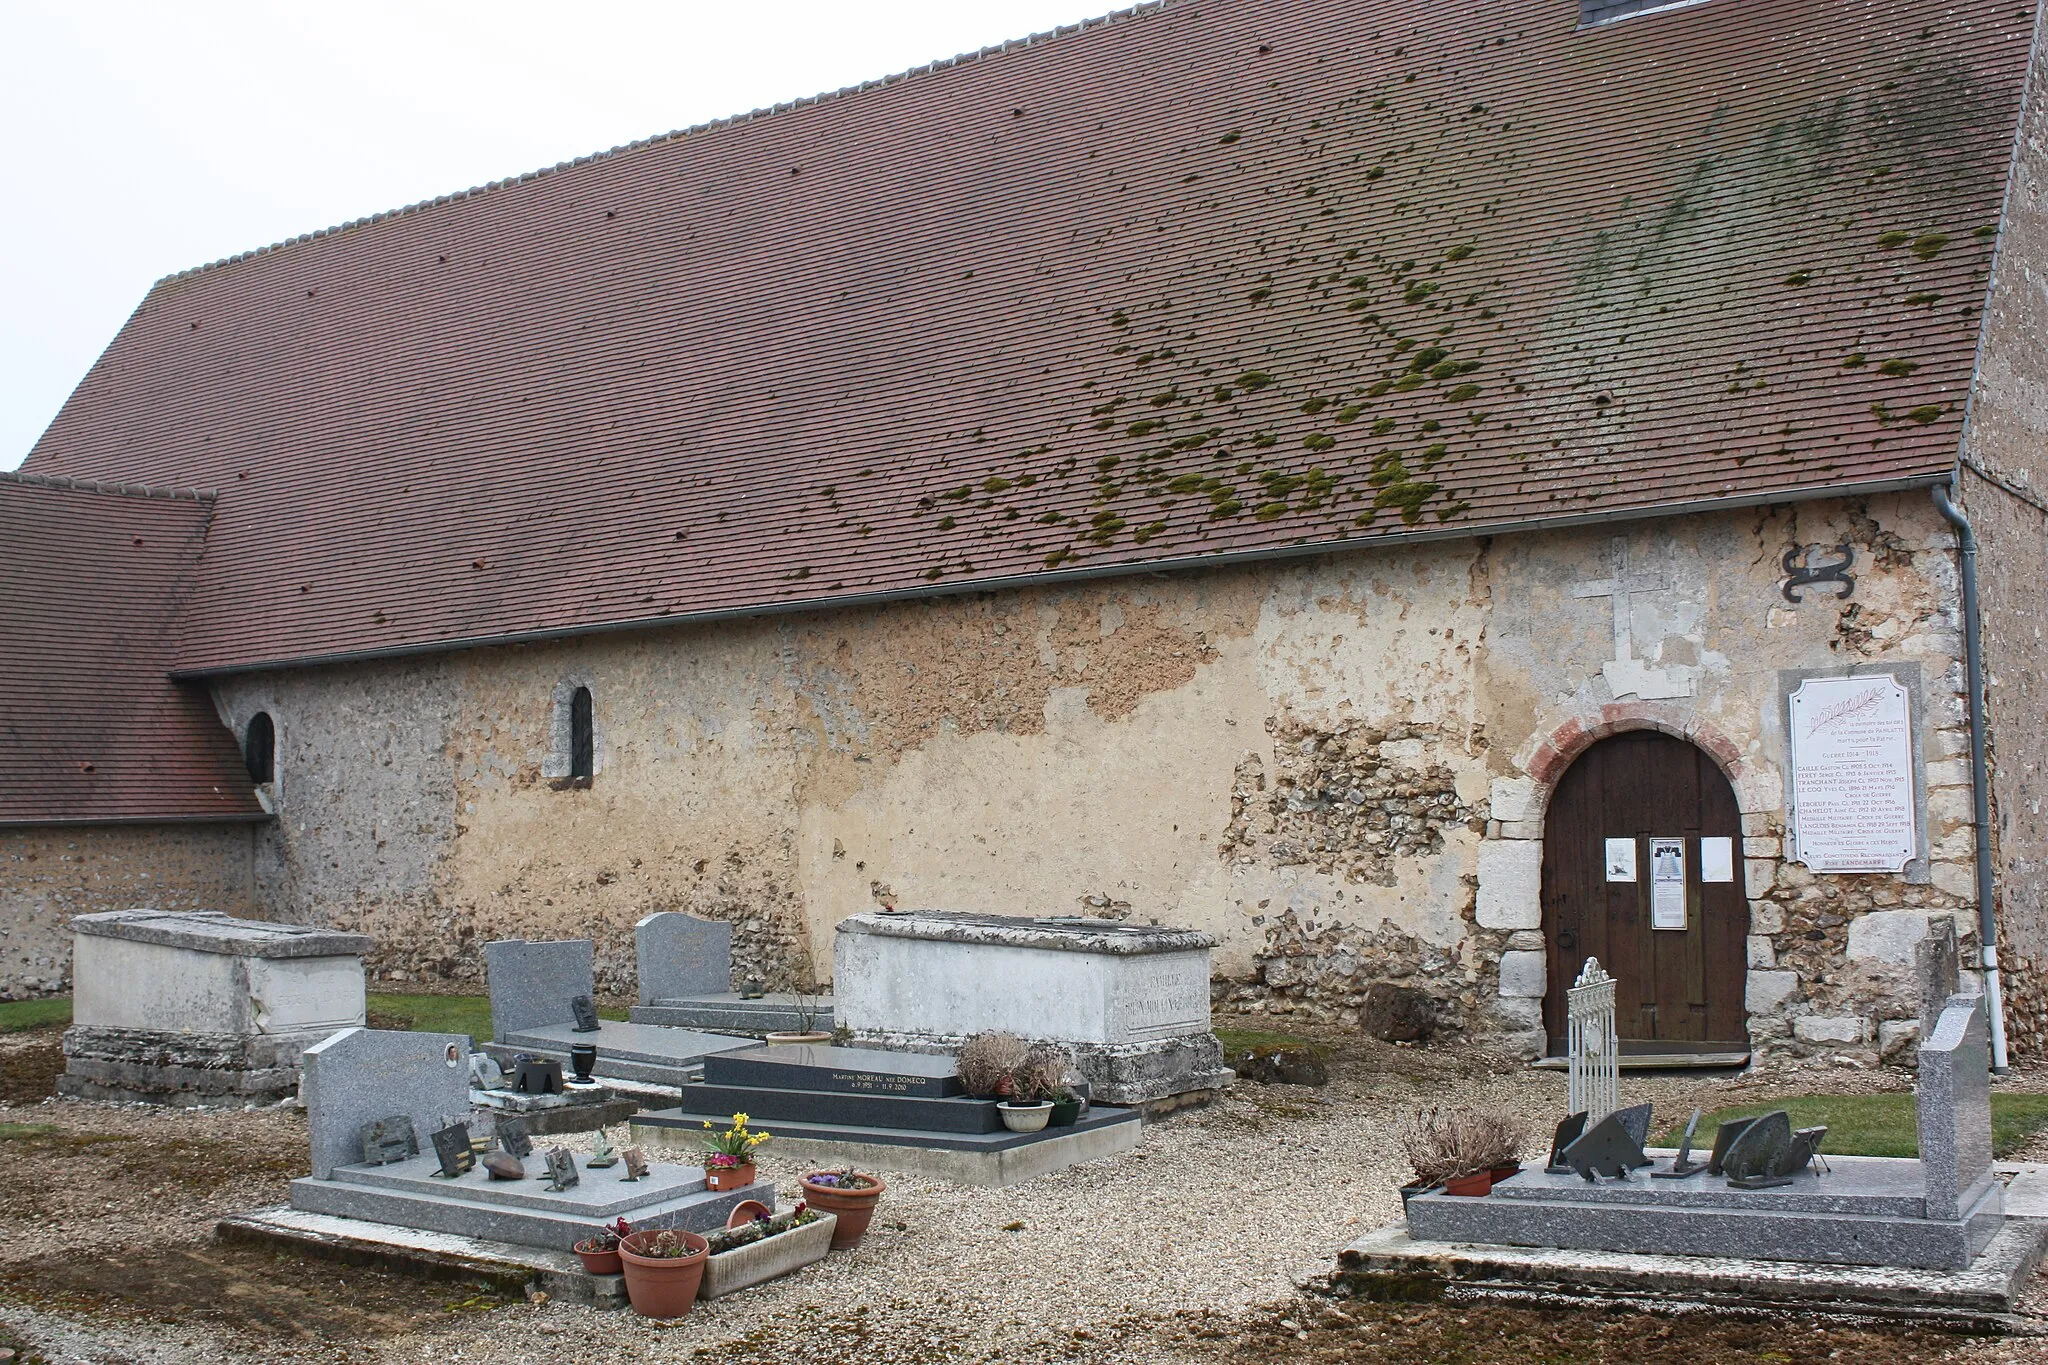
(1955, 1108)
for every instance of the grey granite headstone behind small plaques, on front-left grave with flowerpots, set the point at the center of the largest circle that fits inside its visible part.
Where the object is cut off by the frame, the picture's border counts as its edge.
(366, 1075)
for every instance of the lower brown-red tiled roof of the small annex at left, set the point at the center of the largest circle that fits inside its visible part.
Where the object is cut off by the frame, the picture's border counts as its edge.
(91, 725)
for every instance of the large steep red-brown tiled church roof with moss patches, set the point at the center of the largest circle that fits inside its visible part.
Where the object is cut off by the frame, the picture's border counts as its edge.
(1224, 277)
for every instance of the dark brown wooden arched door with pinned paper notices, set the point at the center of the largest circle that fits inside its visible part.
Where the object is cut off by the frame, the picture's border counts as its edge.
(1631, 811)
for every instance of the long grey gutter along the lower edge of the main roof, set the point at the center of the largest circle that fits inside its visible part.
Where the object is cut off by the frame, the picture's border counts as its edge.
(1074, 576)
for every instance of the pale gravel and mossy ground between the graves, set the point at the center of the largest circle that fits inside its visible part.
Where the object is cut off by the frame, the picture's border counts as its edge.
(1187, 1249)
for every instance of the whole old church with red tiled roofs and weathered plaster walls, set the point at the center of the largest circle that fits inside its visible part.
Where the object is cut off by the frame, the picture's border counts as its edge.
(1426, 496)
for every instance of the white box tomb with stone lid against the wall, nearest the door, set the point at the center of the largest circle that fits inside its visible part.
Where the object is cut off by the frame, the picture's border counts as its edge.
(1129, 1000)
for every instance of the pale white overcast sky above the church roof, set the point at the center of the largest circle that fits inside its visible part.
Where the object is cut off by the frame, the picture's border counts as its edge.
(151, 138)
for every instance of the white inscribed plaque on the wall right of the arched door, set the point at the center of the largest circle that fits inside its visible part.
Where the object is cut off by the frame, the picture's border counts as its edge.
(1852, 775)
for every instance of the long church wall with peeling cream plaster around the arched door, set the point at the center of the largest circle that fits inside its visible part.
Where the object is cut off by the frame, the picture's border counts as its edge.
(1334, 764)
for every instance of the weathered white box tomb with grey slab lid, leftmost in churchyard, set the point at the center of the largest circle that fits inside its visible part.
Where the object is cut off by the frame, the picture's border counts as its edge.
(198, 1008)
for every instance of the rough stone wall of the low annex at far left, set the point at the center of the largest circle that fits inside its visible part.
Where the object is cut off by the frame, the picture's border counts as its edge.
(54, 873)
